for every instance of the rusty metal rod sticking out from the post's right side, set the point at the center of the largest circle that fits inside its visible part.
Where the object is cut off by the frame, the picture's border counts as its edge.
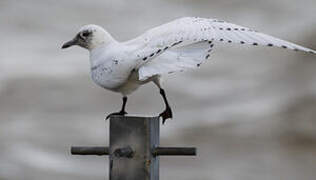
(174, 151)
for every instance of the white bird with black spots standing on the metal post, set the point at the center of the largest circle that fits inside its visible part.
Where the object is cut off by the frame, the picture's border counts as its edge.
(176, 46)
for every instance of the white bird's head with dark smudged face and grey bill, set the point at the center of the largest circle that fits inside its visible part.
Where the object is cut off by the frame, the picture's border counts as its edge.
(89, 37)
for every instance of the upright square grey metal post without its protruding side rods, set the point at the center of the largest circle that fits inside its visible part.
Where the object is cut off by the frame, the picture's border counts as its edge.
(141, 134)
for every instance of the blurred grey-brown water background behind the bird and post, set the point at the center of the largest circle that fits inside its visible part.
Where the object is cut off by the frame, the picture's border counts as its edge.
(251, 112)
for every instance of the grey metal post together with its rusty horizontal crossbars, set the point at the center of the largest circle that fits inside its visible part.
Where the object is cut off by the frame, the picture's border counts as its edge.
(134, 148)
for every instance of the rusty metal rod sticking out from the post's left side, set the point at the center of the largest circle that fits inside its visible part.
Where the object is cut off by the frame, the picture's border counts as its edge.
(80, 150)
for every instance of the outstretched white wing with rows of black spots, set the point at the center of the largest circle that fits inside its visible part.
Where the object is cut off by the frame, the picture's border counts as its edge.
(185, 43)
